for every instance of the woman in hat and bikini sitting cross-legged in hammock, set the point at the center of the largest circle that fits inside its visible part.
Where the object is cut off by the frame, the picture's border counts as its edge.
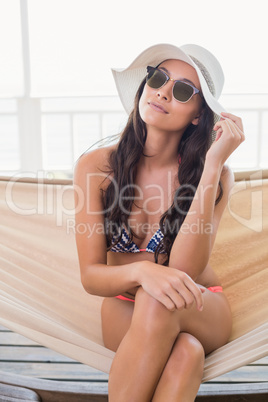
(154, 202)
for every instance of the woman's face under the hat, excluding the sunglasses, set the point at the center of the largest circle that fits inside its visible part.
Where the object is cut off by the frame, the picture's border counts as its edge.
(159, 109)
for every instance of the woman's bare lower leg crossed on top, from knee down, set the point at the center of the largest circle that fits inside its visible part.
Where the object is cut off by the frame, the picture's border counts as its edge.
(143, 353)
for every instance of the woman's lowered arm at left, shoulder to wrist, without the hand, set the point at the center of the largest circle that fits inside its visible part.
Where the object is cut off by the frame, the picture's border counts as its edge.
(97, 277)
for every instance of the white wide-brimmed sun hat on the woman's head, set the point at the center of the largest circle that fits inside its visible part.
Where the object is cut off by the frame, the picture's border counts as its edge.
(208, 68)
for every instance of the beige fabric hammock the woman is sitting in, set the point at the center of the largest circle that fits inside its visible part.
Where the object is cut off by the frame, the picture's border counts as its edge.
(41, 296)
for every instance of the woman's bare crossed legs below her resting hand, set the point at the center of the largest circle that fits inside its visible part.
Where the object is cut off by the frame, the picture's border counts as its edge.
(143, 357)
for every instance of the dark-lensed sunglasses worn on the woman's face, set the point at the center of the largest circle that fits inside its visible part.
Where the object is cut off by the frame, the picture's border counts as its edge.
(182, 91)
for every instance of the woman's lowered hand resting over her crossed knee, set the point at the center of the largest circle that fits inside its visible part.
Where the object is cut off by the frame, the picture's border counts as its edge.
(171, 287)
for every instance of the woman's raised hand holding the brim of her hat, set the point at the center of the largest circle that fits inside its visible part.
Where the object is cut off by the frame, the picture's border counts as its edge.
(229, 135)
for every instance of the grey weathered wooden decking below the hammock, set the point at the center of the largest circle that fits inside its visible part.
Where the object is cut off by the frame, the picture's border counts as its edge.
(19, 355)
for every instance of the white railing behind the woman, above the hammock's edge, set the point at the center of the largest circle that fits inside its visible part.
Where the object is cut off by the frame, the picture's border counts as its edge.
(49, 134)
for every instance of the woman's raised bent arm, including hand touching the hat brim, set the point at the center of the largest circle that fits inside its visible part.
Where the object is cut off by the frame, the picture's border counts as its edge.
(194, 242)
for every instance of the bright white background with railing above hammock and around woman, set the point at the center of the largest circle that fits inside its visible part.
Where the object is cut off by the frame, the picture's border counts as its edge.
(57, 95)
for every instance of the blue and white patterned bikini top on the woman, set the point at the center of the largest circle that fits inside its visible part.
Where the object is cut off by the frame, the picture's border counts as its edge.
(127, 246)
